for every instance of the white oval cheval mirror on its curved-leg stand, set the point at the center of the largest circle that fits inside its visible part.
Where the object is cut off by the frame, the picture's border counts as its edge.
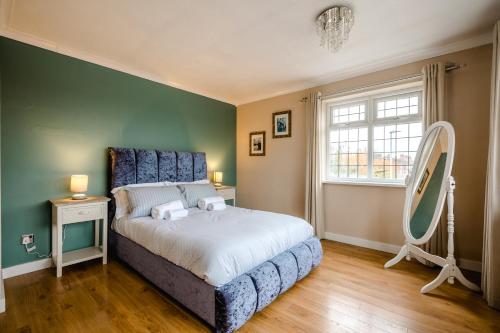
(429, 186)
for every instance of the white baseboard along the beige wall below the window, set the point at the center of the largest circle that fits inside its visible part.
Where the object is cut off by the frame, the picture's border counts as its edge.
(467, 264)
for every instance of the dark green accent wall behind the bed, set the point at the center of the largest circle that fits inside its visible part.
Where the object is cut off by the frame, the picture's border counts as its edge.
(58, 116)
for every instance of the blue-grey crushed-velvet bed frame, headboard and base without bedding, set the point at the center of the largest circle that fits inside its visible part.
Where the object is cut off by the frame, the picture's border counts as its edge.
(224, 308)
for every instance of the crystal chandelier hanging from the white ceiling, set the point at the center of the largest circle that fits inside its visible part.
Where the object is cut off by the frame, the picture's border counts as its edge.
(333, 26)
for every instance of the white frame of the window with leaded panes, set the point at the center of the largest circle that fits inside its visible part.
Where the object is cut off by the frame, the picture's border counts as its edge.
(370, 97)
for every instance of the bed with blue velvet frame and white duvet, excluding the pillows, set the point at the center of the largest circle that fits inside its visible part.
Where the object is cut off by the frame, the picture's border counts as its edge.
(223, 266)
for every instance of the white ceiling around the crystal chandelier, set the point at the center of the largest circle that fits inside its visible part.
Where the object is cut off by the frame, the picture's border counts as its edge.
(241, 51)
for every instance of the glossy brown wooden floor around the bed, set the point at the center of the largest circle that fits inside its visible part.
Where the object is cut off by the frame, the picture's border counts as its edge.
(349, 292)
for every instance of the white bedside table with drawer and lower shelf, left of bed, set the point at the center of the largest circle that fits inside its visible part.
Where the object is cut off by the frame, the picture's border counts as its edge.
(68, 211)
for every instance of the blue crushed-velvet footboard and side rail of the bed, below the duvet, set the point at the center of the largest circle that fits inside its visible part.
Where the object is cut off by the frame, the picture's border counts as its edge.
(228, 307)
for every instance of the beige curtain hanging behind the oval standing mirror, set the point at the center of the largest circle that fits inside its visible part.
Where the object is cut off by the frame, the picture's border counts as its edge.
(435, 110)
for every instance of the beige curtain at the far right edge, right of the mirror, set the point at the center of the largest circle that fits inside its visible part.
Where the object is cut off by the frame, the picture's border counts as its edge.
(491, 239)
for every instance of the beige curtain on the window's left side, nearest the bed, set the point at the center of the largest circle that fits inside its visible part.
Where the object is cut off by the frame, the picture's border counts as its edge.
(315, 137)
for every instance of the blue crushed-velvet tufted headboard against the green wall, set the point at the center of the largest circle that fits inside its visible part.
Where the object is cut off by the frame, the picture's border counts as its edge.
(135, 166)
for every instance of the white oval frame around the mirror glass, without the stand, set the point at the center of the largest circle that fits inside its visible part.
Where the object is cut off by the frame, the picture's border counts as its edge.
(444, 185)
